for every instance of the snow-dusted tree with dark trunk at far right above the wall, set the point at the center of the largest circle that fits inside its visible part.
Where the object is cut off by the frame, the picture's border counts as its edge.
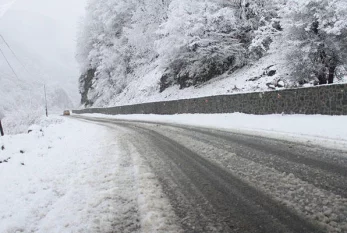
(319, 33)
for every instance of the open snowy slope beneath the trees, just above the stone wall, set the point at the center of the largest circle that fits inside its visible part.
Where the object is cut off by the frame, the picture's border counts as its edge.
(252, 78)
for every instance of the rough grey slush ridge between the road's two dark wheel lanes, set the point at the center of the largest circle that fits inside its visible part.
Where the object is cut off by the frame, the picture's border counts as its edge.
(319, 205)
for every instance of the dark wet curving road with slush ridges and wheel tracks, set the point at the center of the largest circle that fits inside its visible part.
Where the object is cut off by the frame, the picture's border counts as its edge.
(220, 181)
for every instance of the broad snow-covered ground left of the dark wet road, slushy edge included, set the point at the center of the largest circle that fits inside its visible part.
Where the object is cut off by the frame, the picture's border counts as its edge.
(70, 176)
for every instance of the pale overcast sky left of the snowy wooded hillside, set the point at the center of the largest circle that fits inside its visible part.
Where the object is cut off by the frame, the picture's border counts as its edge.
(65, 15)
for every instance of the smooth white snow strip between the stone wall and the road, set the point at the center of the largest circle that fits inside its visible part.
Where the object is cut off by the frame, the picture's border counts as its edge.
(326, 131)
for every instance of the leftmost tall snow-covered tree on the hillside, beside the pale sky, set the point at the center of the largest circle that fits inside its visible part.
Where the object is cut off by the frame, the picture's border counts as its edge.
(103, 50)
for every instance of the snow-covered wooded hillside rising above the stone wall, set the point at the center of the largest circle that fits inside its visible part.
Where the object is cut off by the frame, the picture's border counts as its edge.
(129, 50)
